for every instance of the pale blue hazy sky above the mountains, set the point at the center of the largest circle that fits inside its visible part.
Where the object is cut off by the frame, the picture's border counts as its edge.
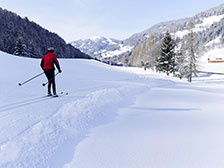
(119, 19)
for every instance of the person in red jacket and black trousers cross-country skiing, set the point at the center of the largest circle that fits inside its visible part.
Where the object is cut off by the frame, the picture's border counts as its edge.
(47, 64)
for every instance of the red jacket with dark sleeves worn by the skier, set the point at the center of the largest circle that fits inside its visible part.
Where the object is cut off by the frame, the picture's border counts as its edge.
(49, 60)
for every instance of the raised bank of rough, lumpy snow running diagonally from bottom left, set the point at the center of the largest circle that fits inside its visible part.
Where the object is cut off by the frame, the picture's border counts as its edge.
(73, 119)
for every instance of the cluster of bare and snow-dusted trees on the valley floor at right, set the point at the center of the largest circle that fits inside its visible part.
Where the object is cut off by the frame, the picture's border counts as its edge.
(176, 57)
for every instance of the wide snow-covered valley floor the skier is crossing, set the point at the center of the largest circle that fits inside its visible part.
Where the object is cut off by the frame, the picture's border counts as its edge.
(113, 117)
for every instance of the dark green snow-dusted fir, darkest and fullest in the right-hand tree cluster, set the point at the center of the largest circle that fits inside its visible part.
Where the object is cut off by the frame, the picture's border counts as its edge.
(166, 60)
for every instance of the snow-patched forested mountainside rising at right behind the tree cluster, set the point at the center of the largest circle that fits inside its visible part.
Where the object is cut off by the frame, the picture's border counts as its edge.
(208, 27)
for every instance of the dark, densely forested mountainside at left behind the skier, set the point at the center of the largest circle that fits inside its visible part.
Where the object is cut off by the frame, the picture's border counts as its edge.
(35, 39)
